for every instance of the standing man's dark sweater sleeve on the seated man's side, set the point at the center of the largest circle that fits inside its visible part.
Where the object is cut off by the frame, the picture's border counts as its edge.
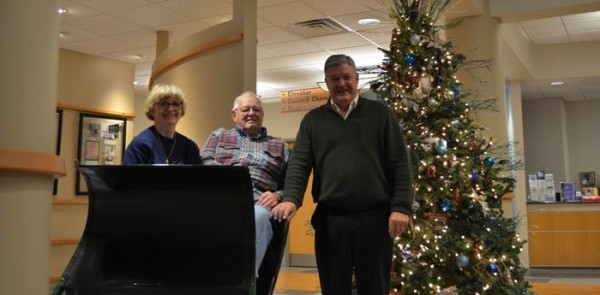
(299, 165)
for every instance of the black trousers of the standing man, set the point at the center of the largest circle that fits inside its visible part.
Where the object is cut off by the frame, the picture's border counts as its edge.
(347, 242)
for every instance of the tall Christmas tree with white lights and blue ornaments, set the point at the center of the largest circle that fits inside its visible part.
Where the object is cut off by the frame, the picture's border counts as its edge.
(458, 241)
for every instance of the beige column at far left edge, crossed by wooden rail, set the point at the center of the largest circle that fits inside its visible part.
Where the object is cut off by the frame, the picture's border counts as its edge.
(29, 61)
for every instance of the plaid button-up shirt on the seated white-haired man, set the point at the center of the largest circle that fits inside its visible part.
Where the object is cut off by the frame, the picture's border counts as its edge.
(265, 156)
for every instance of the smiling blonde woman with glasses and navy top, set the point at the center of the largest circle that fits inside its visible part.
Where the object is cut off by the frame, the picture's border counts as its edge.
(160, 143)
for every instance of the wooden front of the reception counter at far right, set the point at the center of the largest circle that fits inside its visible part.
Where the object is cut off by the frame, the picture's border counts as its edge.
(564, 234)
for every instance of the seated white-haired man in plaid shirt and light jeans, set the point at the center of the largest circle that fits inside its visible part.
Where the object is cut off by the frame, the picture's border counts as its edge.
(265, 156)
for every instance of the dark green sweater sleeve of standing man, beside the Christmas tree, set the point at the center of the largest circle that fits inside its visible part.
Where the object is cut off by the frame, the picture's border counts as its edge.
(400, 173)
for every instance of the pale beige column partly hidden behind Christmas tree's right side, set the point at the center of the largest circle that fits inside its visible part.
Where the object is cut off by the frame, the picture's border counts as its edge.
(479, 38)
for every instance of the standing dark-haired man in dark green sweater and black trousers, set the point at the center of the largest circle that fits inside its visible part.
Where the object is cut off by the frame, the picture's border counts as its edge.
(362, 183)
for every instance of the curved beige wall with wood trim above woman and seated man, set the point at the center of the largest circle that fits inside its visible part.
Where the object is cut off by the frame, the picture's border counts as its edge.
(213, 78)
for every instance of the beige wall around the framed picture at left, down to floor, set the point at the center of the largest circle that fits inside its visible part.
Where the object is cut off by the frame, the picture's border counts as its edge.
(89, 82)
